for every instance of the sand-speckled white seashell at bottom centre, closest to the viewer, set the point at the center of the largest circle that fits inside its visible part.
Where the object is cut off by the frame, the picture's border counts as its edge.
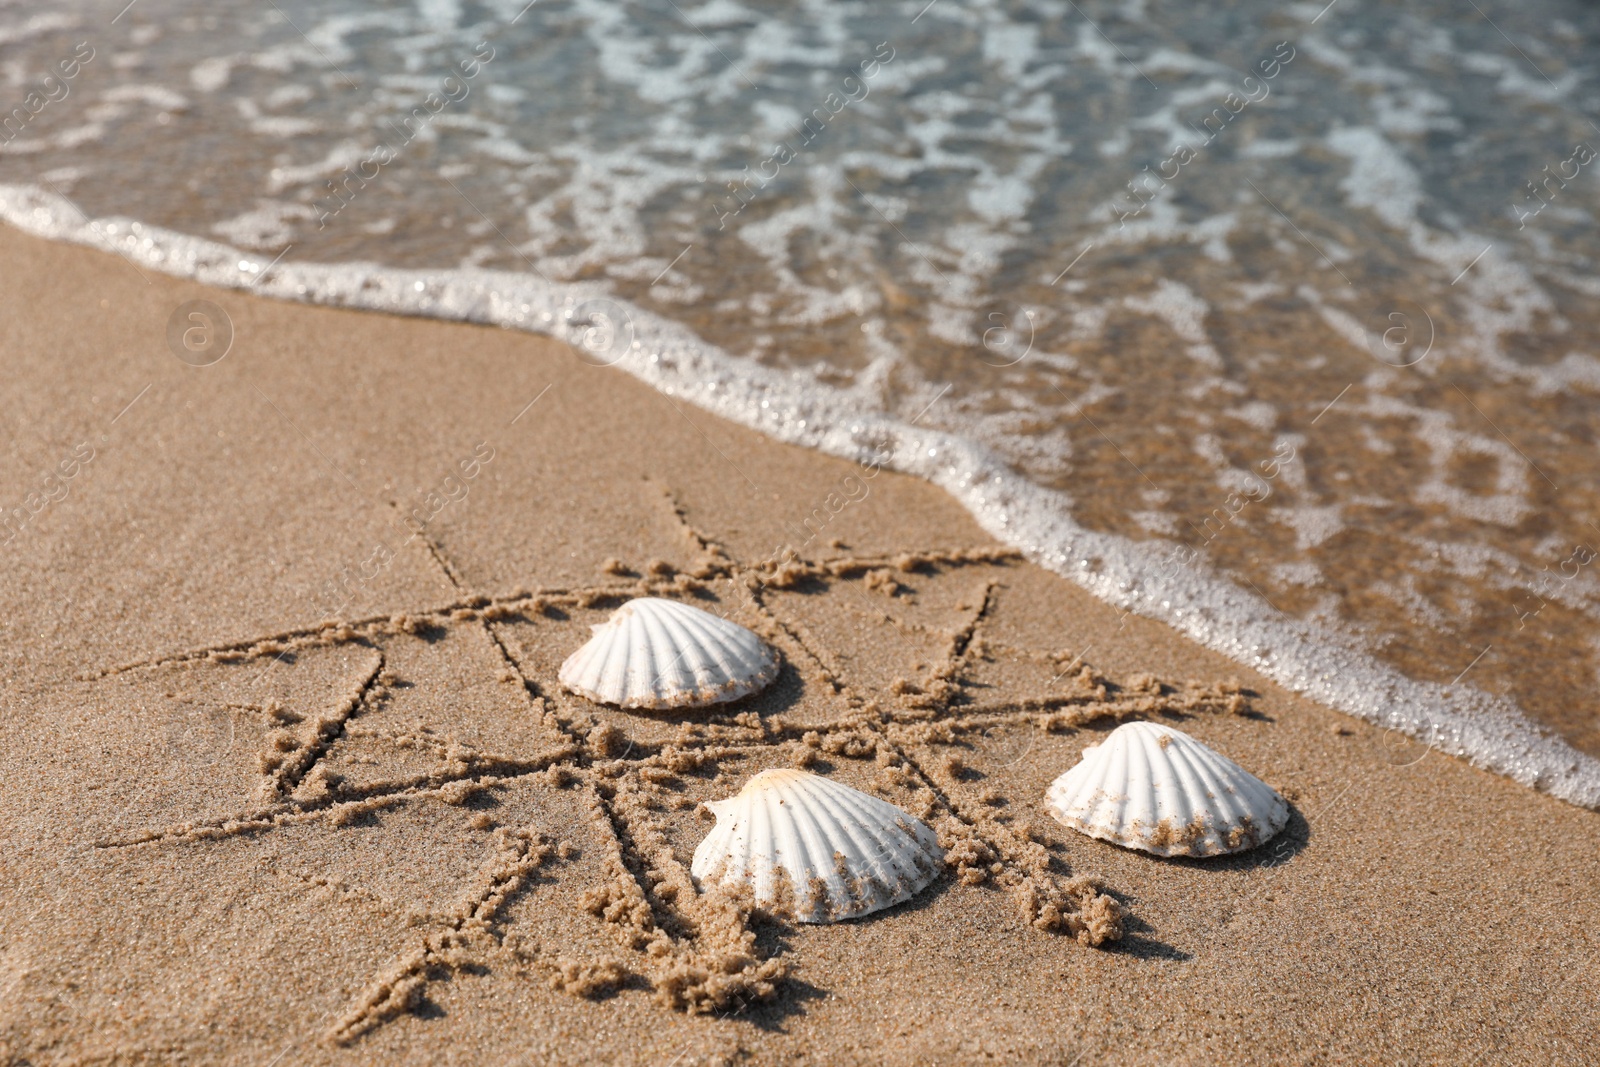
(826, 850)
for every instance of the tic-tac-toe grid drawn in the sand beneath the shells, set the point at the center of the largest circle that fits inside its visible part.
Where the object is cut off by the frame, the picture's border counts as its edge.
(569, 826)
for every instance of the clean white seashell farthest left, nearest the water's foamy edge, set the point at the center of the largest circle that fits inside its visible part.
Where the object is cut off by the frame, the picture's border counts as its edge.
(663, 653)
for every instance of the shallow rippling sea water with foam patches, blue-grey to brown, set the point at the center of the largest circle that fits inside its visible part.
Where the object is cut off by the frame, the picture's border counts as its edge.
(1305, 297)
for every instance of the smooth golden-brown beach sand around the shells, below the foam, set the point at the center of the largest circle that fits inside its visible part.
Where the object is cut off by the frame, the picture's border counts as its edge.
(289, 778)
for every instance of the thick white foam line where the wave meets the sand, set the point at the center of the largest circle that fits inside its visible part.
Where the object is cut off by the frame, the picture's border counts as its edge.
(1137, 577)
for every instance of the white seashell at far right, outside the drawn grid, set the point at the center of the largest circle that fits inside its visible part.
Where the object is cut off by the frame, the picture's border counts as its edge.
(1161, 791)
